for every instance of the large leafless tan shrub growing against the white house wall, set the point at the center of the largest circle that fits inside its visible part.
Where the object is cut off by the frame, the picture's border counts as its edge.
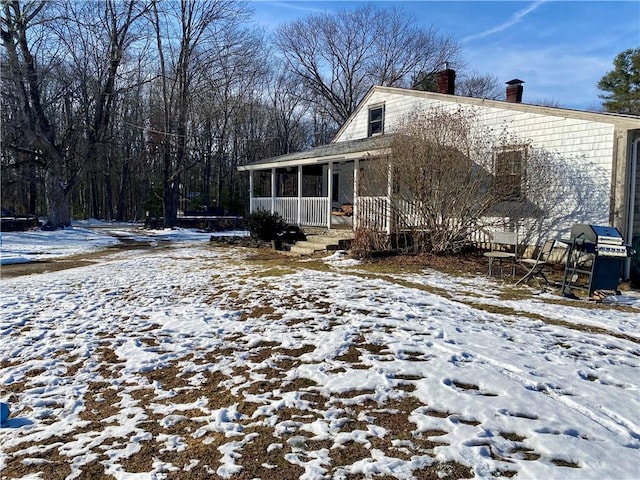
(449, 177)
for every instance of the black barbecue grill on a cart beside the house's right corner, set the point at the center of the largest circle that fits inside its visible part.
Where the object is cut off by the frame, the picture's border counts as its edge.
(594, 259)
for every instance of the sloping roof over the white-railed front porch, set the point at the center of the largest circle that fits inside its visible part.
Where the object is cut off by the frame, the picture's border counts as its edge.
(333, 152)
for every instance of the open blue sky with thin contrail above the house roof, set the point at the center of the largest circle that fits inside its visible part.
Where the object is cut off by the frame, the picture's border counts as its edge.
(560, 49)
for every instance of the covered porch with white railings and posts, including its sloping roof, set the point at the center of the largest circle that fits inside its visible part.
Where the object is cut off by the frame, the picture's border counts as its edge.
(322, 187)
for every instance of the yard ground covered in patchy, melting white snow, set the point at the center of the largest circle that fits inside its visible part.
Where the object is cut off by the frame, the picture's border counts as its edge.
(199, 361)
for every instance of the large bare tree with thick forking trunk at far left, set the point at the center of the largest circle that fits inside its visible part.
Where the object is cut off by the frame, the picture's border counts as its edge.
(62, 98)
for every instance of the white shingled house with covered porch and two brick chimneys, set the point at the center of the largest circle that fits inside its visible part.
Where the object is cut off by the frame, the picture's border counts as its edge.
(309, 188)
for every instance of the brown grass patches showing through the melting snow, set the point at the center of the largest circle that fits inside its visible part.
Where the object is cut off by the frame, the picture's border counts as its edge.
(262, 447)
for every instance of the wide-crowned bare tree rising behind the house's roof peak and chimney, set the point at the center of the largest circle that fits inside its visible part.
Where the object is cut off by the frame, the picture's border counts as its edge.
(338, 57)
